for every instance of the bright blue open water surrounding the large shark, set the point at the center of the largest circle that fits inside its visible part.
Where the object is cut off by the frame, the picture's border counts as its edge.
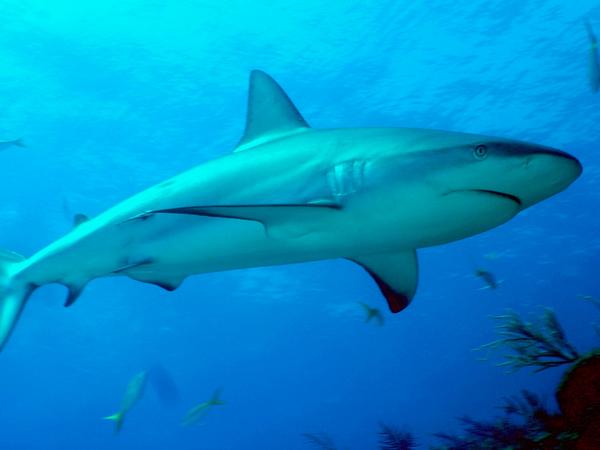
(114, 96)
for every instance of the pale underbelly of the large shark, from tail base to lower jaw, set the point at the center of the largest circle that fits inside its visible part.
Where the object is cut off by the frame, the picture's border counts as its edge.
(174, 246)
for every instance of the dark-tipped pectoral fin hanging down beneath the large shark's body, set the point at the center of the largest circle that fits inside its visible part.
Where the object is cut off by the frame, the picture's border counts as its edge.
(396, 274)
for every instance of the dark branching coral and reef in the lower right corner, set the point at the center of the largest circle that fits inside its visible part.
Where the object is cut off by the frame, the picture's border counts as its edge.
(526, 424)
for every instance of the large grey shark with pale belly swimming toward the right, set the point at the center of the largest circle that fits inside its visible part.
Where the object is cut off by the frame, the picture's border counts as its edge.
(290, 193)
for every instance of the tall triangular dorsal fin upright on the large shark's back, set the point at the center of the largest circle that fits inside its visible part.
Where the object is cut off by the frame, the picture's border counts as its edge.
(271, 114)
